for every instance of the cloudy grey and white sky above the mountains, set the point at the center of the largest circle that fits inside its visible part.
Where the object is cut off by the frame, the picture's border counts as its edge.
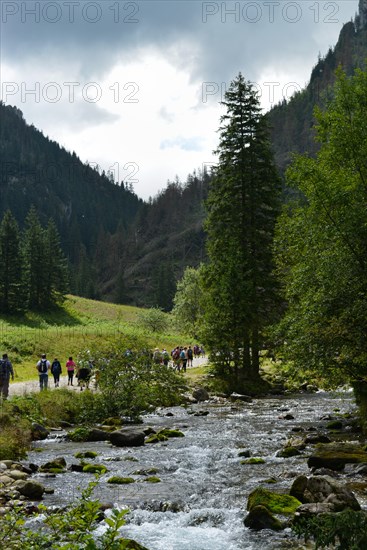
(135, 86)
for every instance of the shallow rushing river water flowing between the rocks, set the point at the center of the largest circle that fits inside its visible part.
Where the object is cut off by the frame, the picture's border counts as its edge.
(200, 502)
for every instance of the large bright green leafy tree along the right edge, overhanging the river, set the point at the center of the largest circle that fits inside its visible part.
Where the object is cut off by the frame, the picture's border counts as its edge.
(322, 243)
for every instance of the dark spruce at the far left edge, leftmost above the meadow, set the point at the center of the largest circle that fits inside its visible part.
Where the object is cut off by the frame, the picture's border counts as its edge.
(13, 294)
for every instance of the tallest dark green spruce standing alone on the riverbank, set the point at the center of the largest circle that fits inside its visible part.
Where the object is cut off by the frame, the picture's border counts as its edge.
(242, 206)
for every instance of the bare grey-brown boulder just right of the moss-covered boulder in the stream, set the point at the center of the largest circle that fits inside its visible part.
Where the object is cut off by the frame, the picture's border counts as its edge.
(324, 489)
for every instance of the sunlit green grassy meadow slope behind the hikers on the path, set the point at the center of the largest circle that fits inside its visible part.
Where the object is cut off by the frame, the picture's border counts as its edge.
(77, 325)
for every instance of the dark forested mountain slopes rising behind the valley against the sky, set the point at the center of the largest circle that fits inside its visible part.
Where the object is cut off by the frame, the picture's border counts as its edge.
(121, 248)
